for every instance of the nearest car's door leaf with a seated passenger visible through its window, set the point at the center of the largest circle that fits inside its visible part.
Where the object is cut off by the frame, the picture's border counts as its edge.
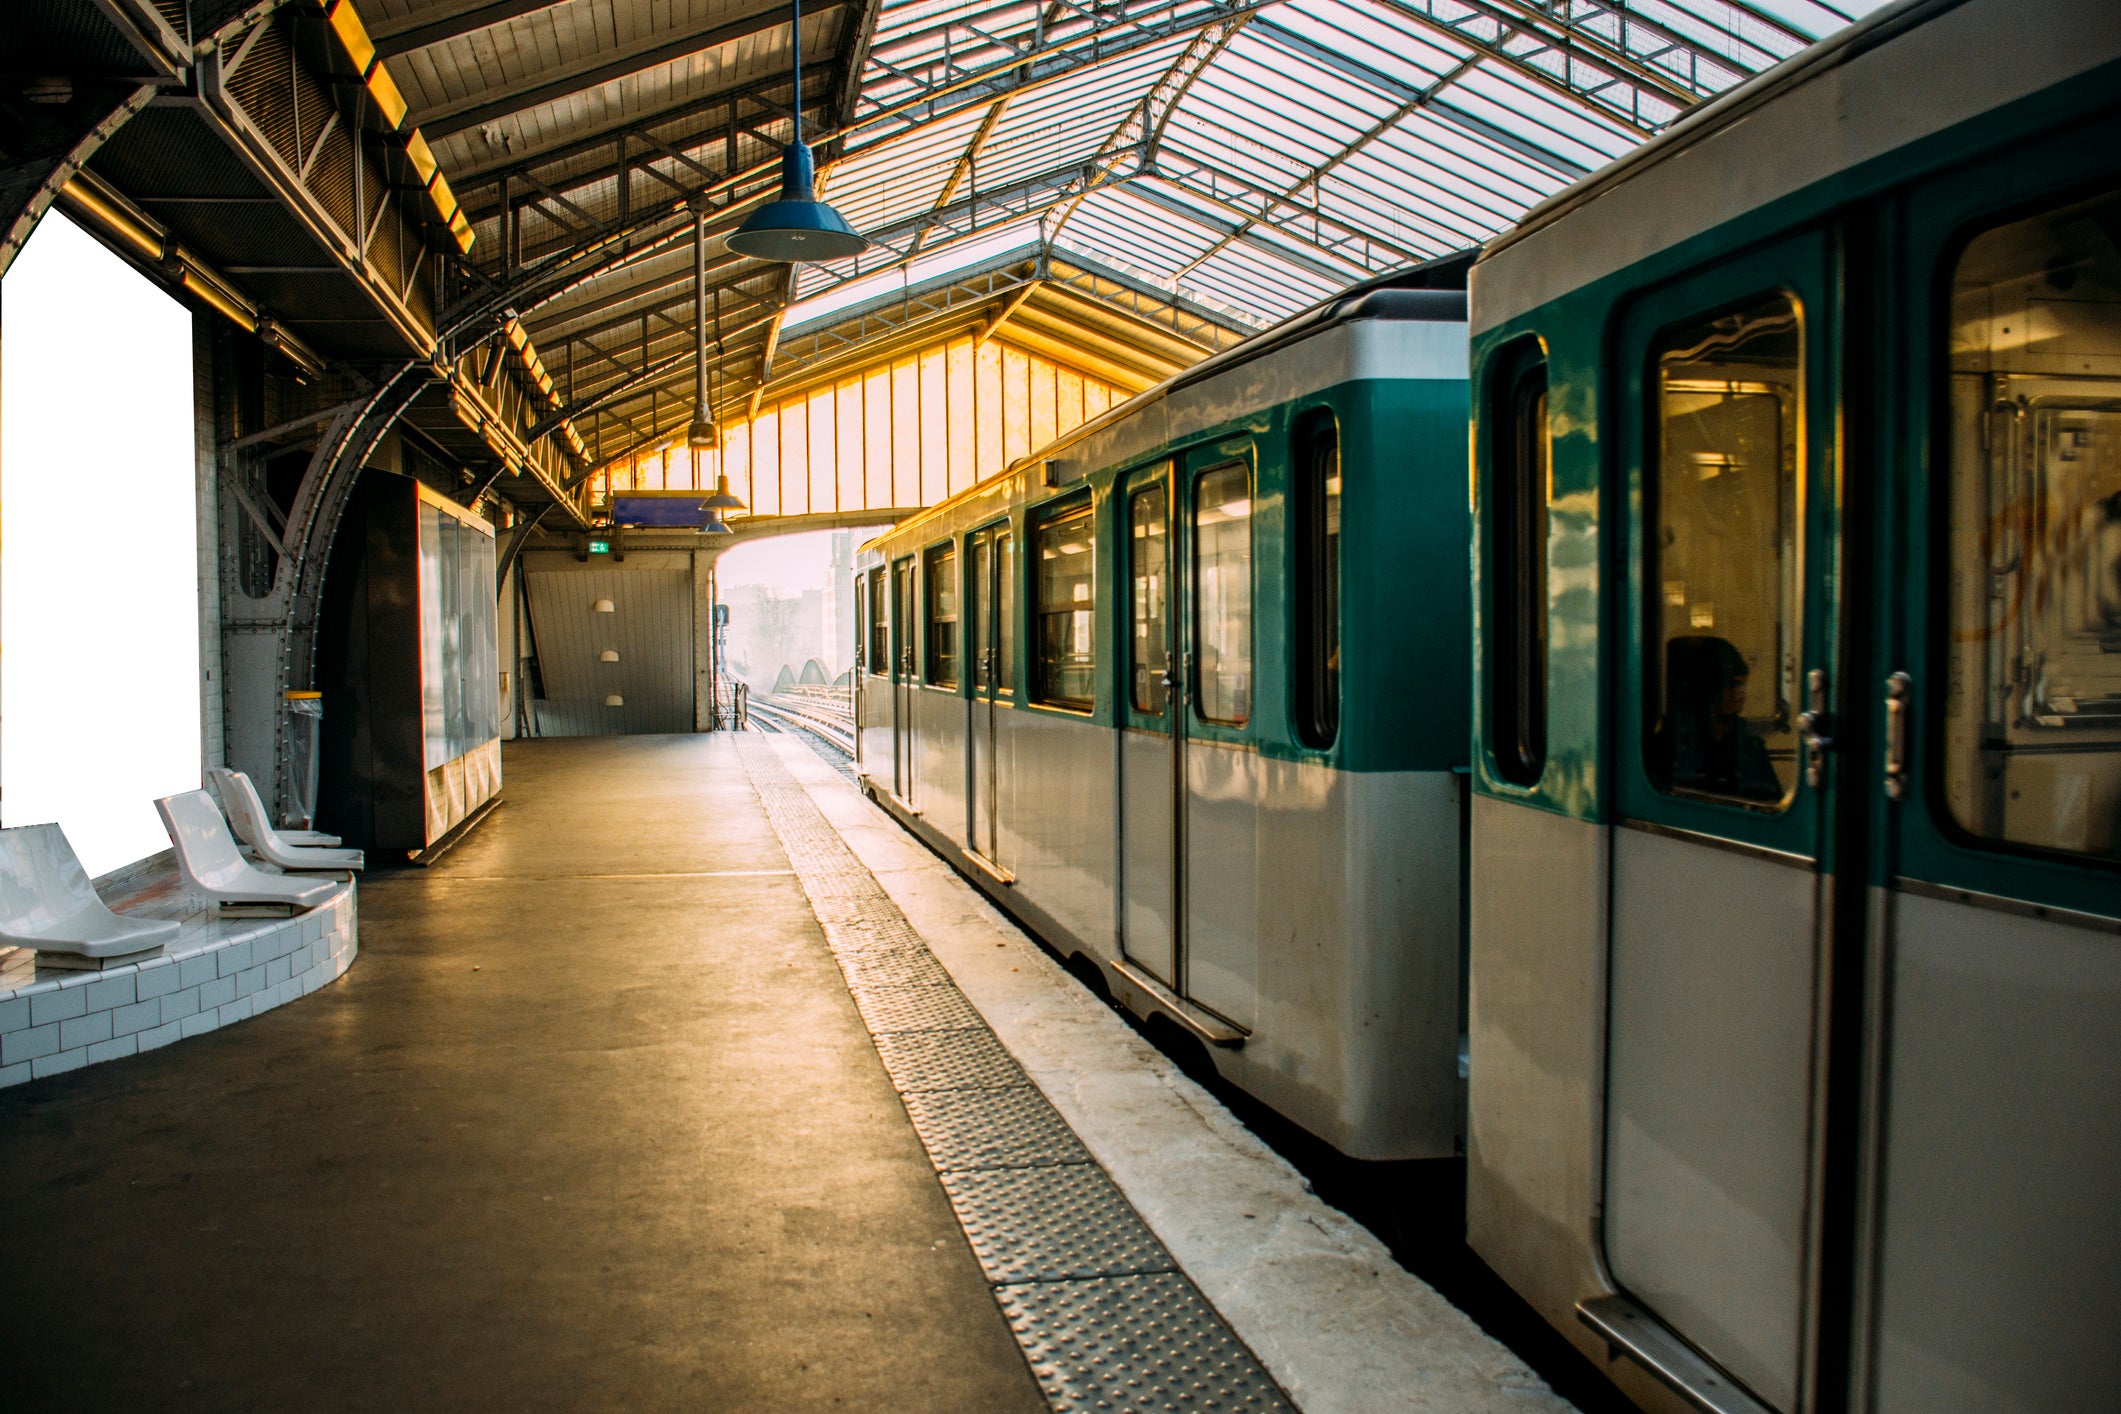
(1721, 874)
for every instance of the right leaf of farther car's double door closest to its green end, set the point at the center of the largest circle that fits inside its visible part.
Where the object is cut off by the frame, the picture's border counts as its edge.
(1219, 768)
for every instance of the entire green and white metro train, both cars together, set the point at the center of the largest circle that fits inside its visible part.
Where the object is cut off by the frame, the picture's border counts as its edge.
(1781, 898)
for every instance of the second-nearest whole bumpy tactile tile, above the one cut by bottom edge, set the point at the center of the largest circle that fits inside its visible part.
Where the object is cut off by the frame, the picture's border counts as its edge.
(1053, 1224)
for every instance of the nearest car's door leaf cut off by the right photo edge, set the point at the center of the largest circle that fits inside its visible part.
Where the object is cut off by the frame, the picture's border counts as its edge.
(1999, 709)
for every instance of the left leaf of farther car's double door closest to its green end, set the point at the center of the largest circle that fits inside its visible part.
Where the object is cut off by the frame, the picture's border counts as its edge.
(1149, 728)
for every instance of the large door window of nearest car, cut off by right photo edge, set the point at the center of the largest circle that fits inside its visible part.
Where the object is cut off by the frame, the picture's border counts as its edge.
(2033, 707)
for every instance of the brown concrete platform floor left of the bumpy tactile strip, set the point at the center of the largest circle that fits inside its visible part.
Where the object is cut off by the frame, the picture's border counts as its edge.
(591, 1125)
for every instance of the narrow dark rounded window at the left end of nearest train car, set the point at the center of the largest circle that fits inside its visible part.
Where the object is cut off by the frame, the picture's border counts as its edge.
(1520, 491)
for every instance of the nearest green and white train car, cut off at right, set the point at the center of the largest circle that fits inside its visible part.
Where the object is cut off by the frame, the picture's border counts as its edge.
(1795, 870)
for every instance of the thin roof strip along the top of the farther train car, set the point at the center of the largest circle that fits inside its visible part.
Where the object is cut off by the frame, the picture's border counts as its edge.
(1433, 291)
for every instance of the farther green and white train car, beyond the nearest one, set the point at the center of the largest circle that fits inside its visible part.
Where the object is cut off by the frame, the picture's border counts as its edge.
(1187, 692)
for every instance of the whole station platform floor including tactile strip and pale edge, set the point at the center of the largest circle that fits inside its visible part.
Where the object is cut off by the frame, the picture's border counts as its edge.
(693, 1082)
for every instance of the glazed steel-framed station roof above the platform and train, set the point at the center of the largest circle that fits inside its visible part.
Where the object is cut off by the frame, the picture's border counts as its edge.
(1108, 190)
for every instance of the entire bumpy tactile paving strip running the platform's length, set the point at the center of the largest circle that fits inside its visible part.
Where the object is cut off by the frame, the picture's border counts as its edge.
(1098, 1305)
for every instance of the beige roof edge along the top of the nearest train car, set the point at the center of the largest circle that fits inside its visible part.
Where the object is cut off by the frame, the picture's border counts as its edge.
(1895, 77)
